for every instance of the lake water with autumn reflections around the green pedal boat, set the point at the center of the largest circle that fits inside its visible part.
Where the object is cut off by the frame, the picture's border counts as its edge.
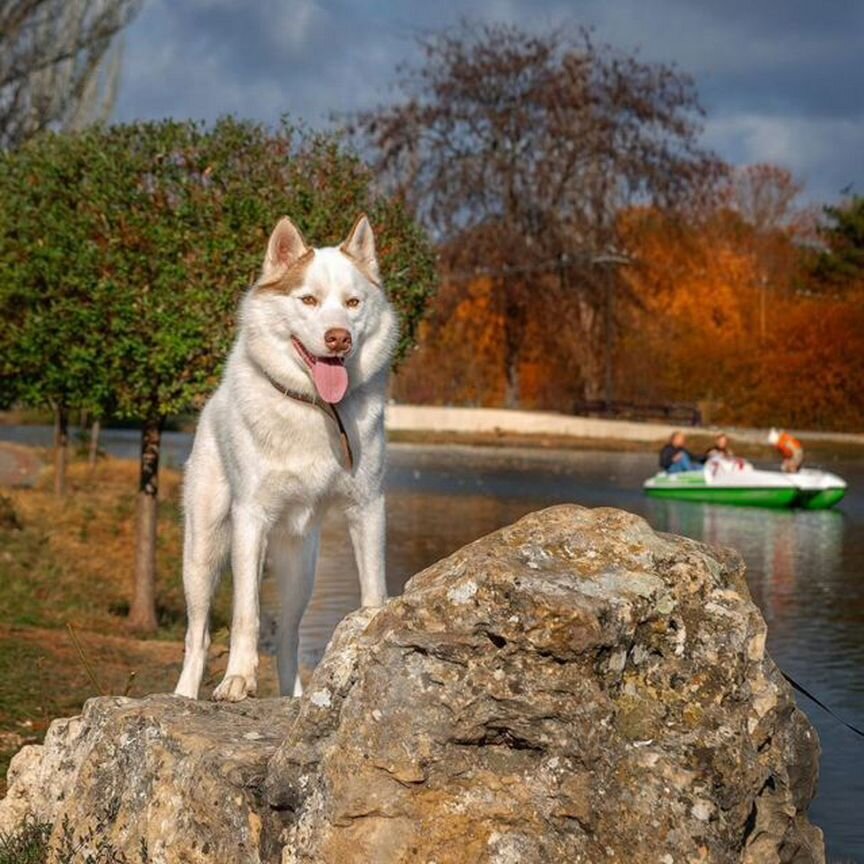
(806, 569)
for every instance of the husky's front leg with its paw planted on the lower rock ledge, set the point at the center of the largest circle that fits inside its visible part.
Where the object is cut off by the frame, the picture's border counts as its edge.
(249, 535)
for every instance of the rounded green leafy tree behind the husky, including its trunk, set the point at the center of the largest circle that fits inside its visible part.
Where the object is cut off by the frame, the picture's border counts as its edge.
(124, 252)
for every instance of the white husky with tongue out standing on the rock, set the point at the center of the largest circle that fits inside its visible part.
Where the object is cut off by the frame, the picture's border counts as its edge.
(296, 425)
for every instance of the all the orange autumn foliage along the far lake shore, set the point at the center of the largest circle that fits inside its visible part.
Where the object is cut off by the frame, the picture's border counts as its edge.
(717, 311)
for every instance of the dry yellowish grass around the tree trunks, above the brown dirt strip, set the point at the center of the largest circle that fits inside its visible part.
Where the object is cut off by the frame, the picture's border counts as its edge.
(74, 558)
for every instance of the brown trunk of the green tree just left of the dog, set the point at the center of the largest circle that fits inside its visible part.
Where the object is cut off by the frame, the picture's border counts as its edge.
(142, 614)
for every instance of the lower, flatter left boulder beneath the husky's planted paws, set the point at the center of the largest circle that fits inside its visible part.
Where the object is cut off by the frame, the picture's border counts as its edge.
(161, 779)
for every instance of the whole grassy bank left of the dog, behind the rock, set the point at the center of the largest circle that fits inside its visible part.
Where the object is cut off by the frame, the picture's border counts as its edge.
(70, 564)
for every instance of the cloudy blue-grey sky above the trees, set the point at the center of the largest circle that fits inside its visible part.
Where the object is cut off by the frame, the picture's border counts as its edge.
(781, 80)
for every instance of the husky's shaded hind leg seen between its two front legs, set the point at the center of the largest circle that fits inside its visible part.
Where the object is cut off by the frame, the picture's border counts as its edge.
(294, 560)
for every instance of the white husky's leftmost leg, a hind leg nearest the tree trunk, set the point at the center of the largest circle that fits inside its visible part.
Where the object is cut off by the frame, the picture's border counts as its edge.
(206, 543)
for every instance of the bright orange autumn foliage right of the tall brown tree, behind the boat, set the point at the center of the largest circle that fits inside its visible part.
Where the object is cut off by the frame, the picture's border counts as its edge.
(724, 318)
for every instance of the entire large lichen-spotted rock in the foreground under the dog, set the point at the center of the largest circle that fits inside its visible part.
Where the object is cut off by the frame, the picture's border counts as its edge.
(572, 688)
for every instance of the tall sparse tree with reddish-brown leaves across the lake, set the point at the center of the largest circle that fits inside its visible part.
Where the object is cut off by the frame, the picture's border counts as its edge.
(520, 152)
